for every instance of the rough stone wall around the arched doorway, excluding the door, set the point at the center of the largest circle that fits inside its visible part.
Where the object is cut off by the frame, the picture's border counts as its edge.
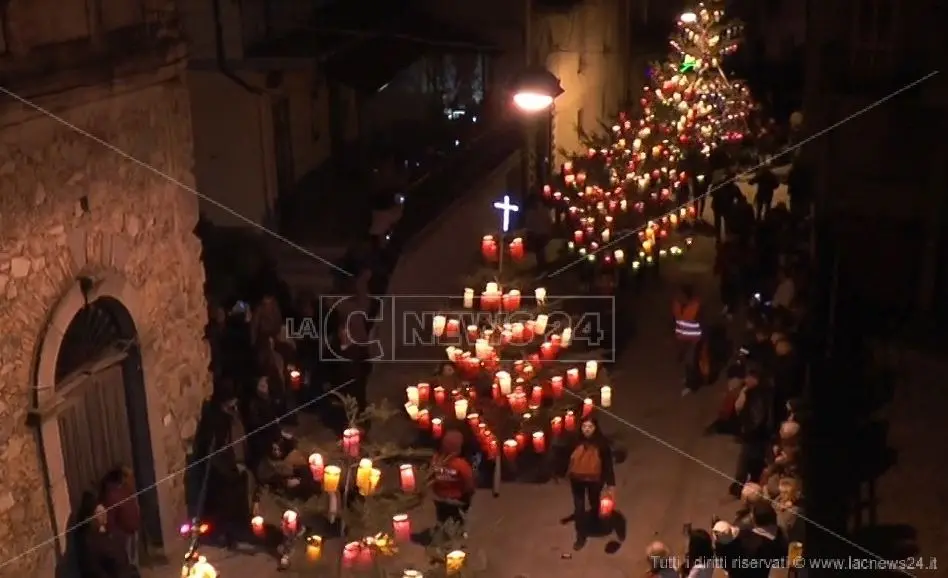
(137, 229)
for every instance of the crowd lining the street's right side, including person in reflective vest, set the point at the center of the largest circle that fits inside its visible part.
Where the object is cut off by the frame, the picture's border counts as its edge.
(760, 264)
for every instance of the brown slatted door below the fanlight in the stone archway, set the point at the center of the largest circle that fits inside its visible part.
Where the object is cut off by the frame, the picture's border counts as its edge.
(94, 431)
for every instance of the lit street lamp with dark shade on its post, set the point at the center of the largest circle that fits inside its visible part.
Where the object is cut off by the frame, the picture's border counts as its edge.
(534, 92)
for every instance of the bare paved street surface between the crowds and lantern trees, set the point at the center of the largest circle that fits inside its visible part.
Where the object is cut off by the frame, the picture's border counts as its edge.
(672, 473)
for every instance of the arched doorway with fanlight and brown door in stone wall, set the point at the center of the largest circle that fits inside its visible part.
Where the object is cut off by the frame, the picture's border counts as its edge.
(99, 407)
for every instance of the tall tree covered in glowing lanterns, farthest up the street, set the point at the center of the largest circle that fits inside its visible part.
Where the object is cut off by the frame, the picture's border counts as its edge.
(640, 180)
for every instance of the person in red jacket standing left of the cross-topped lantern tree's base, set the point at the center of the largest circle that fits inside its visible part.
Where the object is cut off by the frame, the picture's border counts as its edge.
(453, 481)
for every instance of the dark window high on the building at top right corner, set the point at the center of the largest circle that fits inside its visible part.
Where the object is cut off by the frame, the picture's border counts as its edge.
(873, 36)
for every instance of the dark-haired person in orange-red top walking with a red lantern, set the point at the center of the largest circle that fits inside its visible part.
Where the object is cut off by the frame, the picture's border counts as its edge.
(591, 472)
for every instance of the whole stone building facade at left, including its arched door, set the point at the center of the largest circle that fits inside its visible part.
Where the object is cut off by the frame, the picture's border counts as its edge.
(102, 309)
